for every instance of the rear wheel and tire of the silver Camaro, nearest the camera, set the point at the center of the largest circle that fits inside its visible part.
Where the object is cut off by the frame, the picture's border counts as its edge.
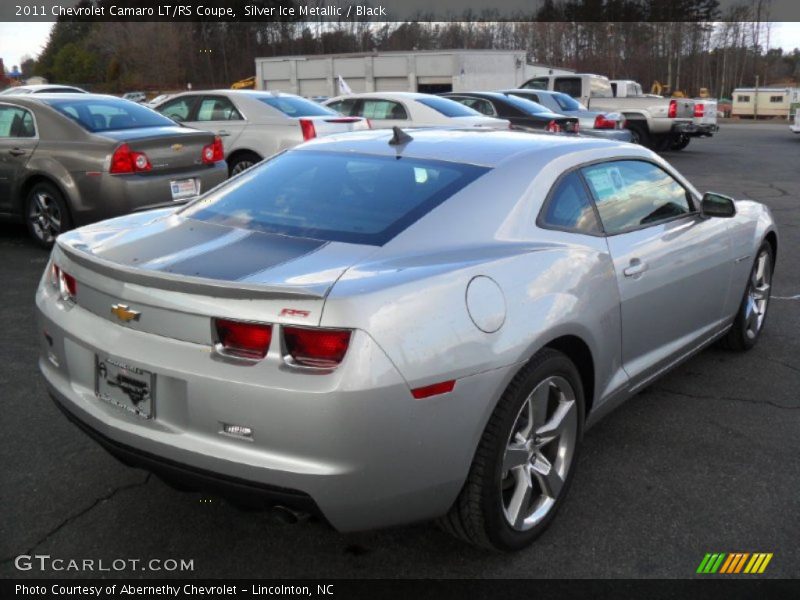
(508, 472)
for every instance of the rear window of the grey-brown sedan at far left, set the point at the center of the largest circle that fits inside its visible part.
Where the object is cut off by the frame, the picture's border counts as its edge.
(112, 114)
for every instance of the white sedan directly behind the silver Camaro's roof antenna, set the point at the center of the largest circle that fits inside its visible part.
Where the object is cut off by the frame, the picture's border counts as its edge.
(409, 109)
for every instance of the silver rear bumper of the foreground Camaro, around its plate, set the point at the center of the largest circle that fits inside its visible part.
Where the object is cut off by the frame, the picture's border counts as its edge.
(354, 442)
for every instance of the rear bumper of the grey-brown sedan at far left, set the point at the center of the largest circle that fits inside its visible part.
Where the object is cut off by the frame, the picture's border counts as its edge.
(105, 196)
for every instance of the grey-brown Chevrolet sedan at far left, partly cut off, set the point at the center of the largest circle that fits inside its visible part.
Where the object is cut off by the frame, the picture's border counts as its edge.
(71, 159)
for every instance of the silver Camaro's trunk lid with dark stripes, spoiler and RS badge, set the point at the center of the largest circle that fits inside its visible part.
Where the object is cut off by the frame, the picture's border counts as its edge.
(179, 273)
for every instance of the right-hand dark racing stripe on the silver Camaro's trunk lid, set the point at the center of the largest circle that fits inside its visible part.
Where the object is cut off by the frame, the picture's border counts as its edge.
(251, 254)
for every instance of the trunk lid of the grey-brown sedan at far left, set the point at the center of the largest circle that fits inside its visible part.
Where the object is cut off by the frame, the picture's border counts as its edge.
(168, 148)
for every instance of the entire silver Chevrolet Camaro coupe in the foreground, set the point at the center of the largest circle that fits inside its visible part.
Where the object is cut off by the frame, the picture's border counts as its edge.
(388, 327)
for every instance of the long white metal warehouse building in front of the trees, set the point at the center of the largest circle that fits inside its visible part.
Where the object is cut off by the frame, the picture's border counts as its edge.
(425, 71)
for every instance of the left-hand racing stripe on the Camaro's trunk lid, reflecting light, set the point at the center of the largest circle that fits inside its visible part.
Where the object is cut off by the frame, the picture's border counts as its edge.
(144, 248)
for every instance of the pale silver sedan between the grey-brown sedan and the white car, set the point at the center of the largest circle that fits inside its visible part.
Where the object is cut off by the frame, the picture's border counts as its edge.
(256, 124)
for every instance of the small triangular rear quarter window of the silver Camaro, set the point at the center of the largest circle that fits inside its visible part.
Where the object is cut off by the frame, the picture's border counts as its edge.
(569, 207)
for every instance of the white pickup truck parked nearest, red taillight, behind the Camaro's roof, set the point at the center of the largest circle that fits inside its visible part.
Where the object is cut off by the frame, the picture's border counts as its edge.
(655, 122)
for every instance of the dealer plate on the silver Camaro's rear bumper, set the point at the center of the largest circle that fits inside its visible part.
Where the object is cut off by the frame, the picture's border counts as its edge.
(125, 386)
